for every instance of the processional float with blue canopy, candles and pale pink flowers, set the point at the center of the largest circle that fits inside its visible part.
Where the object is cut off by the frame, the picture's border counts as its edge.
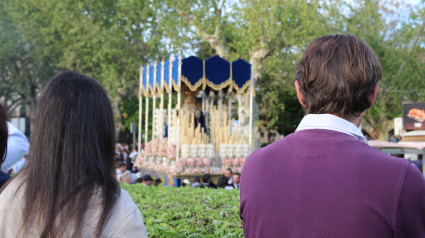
(210, 127)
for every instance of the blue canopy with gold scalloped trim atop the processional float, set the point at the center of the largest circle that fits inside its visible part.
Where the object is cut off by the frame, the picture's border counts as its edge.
(214, 73)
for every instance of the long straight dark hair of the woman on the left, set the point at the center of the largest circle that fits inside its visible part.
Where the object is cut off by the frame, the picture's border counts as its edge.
(71, 157)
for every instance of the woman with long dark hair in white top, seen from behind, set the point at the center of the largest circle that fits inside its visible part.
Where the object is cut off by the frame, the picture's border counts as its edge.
(68, 187)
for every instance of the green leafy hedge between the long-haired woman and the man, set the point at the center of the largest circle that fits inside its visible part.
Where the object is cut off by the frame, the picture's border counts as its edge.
(188, 212)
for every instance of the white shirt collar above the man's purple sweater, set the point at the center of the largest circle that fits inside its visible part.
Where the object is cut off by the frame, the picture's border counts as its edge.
(331, 122)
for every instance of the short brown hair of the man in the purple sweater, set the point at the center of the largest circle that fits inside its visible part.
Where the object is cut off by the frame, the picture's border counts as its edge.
(338, 74)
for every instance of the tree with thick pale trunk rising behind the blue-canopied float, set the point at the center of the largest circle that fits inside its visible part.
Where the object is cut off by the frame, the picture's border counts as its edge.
(269, 34)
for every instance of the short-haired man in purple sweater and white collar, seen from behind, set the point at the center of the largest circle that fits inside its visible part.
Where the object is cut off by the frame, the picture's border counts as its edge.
(327, 181)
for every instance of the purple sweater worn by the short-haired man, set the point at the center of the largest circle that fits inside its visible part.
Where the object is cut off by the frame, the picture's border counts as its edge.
(321, 183)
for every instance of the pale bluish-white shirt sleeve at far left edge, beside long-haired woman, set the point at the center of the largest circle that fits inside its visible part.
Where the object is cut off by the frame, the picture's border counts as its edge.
(17, 147)
